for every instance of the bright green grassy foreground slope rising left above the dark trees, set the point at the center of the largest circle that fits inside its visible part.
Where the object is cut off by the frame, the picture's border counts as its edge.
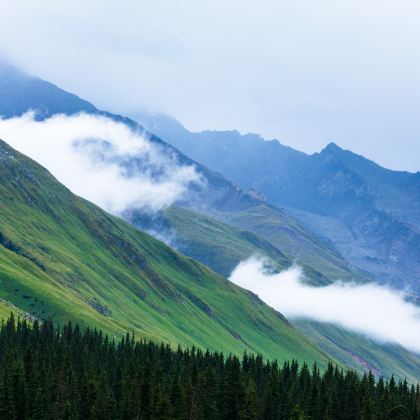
(63, 257)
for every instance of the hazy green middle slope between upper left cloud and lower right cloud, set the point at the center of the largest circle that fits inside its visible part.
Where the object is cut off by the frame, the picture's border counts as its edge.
(218, 245)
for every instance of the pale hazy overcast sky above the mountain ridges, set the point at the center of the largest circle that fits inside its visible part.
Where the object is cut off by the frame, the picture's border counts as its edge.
(303, 71)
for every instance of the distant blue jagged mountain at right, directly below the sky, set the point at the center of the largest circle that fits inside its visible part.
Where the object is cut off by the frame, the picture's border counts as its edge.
(369, 214)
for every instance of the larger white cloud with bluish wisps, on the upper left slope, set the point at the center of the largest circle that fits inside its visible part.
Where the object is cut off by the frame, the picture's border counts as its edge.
(89, 153)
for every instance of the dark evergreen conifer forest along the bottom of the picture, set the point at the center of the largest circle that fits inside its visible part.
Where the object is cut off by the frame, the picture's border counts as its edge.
(46, 373)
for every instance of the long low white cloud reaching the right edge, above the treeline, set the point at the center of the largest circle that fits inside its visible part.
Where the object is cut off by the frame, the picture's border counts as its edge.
(373, 310)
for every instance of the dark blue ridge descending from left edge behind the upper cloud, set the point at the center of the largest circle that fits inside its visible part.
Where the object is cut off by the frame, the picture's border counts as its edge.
(217, 197)
